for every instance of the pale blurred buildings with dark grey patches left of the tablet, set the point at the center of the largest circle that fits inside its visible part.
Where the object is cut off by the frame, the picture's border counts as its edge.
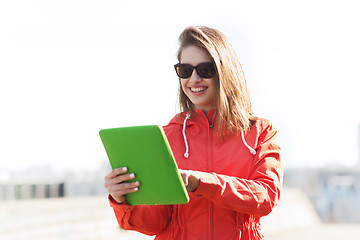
(44, 183)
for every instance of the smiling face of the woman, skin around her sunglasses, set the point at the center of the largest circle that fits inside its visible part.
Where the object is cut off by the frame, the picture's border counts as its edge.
(200, 91)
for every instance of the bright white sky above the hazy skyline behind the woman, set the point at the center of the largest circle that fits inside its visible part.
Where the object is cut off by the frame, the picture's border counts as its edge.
(71, 68)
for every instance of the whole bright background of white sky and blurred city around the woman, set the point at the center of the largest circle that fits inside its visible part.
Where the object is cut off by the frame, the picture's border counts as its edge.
(71, 68)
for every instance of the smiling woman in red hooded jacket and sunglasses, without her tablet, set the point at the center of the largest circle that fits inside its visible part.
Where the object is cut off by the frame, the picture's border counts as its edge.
(230, 159)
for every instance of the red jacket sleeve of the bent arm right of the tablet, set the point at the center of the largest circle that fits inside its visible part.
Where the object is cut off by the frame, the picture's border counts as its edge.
(260, 192)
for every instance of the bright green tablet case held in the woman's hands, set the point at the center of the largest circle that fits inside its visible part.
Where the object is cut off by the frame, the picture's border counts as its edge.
(145, 151)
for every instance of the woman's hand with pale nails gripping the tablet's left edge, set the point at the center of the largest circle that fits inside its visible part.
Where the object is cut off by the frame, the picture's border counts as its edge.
(116, 185)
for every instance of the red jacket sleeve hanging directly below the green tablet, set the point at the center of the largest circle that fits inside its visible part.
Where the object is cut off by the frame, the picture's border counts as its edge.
(150, 220)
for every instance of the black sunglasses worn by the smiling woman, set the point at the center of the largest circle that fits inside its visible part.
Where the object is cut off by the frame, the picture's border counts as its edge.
(204, 70)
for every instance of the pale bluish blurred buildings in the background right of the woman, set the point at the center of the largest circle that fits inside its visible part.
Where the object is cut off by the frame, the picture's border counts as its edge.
(334, 192)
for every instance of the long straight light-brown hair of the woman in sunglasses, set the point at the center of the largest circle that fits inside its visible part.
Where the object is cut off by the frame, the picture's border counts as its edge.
(233, 99)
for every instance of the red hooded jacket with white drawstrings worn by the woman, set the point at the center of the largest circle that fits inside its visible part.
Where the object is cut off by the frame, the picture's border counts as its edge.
(237, 187)
